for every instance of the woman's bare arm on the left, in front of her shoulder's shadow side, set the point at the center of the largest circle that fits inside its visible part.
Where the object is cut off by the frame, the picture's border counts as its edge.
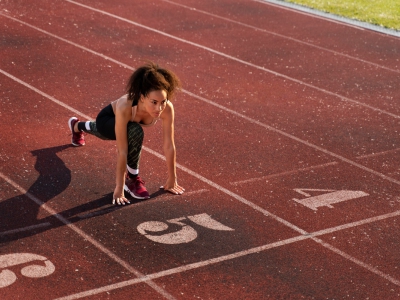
(122, 116)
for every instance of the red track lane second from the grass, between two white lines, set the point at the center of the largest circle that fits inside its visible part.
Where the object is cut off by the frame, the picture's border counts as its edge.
(309, 65)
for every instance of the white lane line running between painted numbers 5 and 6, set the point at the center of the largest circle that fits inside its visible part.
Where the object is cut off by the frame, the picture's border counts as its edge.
(85, 236)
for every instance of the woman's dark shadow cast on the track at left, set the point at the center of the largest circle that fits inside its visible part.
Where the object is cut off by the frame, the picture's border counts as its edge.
(19, 215)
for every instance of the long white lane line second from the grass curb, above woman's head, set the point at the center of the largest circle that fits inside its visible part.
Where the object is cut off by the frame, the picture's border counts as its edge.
(342, 98)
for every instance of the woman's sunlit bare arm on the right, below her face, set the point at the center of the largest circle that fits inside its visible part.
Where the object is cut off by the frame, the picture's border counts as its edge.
(169, 149)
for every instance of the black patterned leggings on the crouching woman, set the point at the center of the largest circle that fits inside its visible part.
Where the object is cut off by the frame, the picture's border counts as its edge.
(104, 128)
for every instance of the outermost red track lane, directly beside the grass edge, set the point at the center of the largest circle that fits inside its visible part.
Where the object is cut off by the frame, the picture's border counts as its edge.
(347, 39)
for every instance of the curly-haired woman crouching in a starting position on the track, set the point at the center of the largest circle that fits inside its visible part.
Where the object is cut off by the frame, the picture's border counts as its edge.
(149, 91)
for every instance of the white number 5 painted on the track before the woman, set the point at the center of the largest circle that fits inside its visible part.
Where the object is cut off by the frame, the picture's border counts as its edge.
(185, 235)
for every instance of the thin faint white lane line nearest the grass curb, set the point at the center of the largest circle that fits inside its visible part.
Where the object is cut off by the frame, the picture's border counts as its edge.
(282, 36)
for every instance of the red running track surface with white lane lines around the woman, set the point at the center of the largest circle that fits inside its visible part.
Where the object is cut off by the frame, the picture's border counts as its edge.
(277, 105)
